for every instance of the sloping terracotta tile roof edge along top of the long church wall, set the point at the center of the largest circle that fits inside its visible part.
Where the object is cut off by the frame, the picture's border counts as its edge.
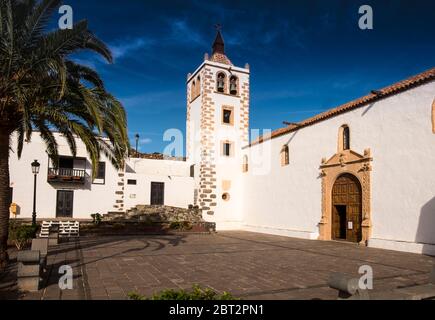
(396, 88)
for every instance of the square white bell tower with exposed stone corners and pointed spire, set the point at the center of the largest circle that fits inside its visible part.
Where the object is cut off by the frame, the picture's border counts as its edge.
(217, 130)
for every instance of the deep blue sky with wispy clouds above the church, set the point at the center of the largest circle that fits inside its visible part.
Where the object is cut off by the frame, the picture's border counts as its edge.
(305, 56)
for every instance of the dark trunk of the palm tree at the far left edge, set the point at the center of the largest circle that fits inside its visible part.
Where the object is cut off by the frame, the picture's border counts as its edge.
(4, 197)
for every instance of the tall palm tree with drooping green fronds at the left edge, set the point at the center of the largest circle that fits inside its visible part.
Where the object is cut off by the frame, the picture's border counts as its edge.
(42, 89)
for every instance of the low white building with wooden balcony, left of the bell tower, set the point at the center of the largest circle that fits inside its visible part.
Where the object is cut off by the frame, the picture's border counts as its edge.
(68, 191)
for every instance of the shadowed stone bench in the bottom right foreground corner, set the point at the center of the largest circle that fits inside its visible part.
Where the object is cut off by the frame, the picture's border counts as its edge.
(348, 289)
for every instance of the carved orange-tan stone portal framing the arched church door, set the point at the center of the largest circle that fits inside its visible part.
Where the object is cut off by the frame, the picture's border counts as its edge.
(346, 162)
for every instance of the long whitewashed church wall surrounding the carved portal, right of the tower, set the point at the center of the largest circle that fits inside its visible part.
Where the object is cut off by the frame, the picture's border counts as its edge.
(398, 130)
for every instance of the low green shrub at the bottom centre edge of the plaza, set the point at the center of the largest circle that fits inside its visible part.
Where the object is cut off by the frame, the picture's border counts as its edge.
(197, 293)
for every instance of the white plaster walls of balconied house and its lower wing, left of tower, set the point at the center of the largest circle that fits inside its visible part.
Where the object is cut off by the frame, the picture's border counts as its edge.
(92, 198)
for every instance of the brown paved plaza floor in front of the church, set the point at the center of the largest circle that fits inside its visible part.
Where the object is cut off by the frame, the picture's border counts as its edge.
(249, 265)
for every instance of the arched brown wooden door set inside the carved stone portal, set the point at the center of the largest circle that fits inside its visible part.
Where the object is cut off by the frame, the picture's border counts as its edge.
(347, 204)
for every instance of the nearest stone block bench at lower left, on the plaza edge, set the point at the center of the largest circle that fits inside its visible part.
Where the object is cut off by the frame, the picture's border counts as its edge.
(29, 270)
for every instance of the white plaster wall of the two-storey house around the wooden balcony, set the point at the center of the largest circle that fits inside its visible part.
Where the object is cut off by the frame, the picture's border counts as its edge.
(85, 196)
